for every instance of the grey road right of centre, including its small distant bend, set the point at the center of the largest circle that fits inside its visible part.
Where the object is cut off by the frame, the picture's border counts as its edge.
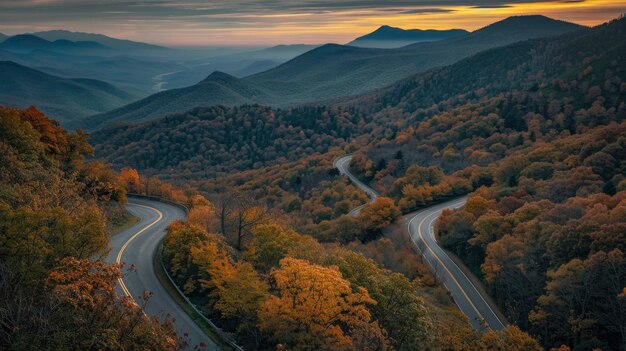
(420, 227)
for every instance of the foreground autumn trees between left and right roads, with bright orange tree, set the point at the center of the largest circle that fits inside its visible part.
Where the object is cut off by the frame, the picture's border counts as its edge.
(278, 289)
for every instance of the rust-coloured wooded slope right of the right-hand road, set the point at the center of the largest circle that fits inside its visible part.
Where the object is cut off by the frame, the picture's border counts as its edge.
(548, 237)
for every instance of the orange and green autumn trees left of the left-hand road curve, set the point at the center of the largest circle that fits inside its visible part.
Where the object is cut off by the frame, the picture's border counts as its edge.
(56, 292)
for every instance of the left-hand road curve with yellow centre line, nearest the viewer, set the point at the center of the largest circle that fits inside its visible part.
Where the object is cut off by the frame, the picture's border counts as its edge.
(137, 246)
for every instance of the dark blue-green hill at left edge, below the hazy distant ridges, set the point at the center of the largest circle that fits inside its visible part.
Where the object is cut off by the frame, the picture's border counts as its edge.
(60, 98)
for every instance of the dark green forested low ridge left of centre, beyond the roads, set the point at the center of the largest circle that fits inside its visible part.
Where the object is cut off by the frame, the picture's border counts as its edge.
(206, 142)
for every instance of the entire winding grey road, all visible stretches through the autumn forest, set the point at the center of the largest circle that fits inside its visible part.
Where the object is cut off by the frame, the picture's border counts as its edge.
(137, 245)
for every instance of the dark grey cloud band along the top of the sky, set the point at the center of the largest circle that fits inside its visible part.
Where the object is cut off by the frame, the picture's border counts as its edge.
(42, 10)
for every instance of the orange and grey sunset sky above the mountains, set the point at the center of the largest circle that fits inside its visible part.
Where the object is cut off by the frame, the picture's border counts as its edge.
(255, 22)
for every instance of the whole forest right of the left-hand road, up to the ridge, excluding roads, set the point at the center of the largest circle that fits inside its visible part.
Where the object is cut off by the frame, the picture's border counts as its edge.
(534, 132)
